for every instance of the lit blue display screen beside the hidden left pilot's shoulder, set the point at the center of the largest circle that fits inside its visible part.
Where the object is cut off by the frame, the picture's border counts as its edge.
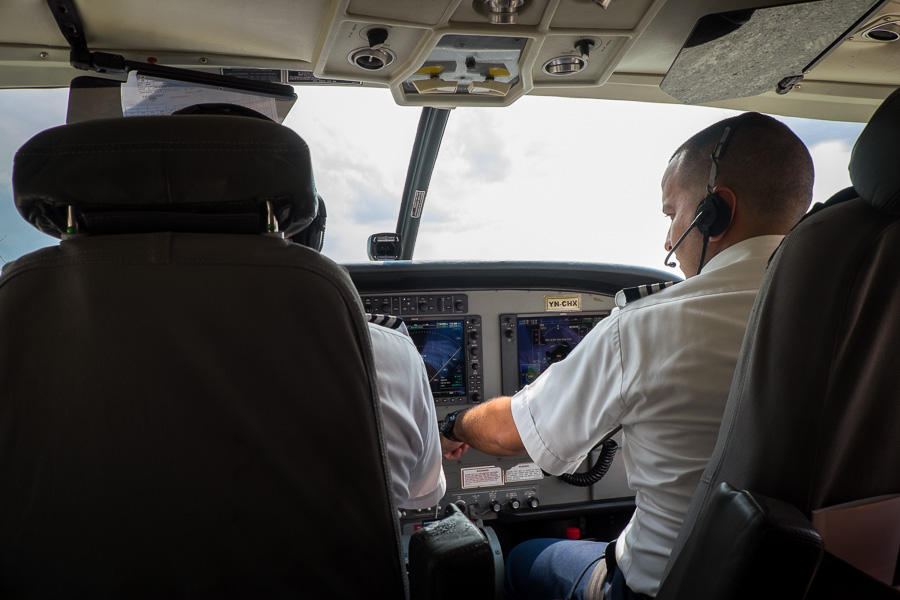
(441, 344)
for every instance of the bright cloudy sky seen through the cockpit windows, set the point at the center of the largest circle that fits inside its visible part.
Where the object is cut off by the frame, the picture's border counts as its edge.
(543, 179)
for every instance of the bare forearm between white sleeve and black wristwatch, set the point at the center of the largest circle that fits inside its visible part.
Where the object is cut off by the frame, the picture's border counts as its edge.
(490, 427)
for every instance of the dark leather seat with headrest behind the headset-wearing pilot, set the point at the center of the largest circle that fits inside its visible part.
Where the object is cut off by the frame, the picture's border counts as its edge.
(813, 417)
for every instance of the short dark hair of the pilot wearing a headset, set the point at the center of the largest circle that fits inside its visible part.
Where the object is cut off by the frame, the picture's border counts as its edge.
(764, 162)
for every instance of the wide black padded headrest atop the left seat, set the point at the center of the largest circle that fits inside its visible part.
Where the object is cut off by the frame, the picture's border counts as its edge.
(174, 173)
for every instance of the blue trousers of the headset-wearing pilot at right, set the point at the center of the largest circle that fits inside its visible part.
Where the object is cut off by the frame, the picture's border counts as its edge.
(550, 569)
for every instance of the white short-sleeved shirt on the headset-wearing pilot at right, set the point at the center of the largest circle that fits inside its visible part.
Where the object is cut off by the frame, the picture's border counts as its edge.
(662, 368)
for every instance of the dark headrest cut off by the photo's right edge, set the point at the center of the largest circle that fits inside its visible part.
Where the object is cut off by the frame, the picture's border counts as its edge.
(873, 165)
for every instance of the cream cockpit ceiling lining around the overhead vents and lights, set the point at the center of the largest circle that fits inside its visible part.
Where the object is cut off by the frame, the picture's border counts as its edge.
(637, 42)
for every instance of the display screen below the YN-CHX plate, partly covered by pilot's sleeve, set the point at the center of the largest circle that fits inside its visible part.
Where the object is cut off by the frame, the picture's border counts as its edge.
(544, 340)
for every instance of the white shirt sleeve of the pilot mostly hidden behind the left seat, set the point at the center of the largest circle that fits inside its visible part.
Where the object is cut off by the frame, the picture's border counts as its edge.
(410, 422)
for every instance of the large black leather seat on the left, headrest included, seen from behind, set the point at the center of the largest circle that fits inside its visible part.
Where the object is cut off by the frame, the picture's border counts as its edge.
(188, 405)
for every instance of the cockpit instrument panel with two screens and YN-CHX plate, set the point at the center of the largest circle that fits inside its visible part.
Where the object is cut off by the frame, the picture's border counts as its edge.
(487, 330)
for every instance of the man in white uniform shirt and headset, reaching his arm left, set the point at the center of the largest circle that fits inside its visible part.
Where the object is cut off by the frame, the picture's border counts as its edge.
(660, 365)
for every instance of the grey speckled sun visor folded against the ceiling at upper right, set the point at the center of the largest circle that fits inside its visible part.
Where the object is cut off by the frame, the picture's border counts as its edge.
(749, 52)
